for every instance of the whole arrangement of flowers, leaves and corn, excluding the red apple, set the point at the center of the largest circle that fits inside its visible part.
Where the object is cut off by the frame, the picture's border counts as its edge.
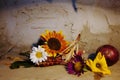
(52, 49)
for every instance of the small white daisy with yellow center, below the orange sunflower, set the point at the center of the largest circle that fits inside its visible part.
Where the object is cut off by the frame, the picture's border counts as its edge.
(38, 55)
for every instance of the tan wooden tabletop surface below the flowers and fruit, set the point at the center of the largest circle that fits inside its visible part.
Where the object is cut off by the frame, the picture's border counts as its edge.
(57, 72)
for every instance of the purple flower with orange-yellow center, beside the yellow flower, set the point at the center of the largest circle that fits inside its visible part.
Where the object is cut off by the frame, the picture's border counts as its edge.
(75, 65)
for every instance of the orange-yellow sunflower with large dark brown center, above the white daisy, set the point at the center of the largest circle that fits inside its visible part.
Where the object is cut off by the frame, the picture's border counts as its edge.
(55, 42)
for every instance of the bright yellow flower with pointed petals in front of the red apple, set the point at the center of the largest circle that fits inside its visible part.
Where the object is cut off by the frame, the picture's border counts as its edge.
(99, 64)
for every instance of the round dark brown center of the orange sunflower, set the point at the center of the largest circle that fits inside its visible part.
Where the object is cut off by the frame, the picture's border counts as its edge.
(54, 44)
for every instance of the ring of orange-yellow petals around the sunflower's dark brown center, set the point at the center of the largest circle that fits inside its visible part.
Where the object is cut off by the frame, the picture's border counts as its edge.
(59, 37)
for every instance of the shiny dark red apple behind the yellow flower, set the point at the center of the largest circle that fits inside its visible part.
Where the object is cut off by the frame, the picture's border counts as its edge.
(111, 54)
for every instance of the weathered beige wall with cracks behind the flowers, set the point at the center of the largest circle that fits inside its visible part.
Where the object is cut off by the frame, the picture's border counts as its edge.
(22, 21)
